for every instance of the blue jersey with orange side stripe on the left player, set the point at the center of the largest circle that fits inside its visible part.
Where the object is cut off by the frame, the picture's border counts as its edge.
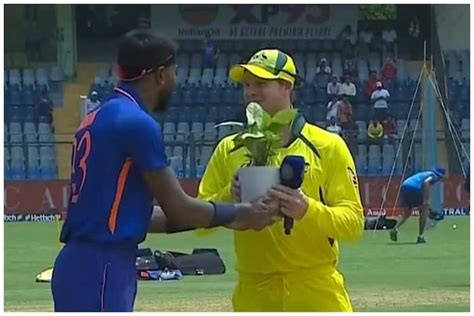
(110, 201)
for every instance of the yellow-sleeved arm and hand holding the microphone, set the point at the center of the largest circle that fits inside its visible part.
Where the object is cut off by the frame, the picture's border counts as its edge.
(339, 213)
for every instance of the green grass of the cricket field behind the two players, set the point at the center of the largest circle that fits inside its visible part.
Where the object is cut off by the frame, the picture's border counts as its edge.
(380, 275)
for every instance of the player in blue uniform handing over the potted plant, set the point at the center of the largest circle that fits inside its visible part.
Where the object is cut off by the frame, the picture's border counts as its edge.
(119, 167)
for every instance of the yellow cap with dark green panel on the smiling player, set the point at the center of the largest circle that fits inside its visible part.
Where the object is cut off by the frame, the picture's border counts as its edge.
(268, 64)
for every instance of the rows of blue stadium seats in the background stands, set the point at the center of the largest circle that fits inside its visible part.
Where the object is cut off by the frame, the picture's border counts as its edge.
(206, 96)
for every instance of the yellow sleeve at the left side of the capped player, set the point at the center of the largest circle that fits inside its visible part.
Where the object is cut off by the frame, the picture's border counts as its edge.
(215, 185)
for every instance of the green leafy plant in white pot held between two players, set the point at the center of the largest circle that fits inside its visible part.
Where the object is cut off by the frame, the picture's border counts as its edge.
(261, 136)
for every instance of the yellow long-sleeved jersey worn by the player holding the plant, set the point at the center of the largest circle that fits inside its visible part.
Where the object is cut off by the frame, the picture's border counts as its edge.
(334, 207)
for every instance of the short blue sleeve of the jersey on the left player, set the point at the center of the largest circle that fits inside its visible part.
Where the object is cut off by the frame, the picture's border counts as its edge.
(143, 142)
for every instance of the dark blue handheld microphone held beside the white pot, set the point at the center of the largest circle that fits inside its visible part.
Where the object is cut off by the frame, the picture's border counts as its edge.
(291, 175)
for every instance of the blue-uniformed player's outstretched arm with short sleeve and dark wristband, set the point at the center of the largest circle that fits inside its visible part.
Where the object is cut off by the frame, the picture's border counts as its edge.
(142, 141)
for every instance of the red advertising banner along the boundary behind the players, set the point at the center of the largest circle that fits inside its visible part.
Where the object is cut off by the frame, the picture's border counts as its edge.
(42, 197)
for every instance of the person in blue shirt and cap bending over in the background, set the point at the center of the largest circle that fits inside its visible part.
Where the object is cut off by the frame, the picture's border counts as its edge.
(415, 193)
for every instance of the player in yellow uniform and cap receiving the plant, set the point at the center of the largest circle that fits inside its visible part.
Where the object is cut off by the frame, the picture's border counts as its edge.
(296, 272)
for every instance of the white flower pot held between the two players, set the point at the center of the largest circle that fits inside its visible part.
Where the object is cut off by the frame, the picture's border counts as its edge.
(256, 181)
